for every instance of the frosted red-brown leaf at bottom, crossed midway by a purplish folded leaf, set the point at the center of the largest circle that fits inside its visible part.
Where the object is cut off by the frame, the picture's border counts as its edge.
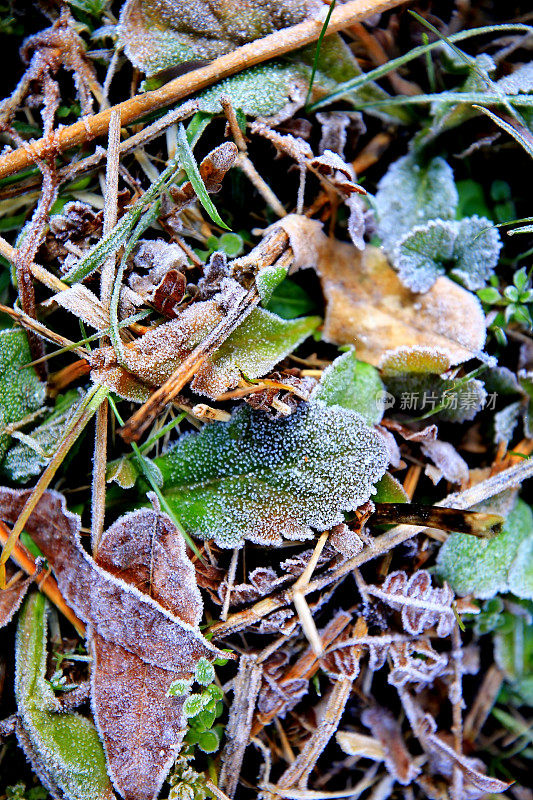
(141, 728)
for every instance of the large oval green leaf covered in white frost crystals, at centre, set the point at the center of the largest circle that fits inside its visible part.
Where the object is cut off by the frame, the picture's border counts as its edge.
(266, 480)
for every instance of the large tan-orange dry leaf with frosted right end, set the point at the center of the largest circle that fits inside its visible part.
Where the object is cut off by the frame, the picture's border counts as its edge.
(368, 306)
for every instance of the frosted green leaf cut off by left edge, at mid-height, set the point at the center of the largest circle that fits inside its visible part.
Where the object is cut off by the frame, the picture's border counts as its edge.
(21, 391)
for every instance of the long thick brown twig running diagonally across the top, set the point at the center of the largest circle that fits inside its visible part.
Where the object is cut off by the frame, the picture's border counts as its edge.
(272, 46)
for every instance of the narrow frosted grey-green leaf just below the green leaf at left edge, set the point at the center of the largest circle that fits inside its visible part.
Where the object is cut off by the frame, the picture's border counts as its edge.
(32, 454)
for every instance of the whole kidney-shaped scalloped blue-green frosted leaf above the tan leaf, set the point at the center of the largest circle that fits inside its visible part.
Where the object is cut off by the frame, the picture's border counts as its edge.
(468, 249)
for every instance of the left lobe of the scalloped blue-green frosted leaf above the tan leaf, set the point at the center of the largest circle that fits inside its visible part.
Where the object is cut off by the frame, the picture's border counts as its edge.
(422, 254)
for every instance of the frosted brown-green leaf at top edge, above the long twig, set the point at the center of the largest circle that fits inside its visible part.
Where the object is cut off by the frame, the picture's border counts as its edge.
(158, 34)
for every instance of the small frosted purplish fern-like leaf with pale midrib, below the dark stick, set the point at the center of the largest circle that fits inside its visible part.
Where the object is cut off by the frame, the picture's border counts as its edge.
(422, 606)
